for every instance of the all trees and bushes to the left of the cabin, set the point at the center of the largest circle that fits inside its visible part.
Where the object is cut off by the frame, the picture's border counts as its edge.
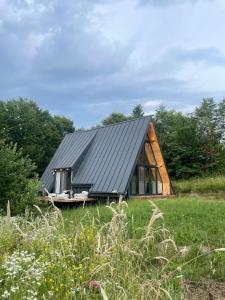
(29, 137)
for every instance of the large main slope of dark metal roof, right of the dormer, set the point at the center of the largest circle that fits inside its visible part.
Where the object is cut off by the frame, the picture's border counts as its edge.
(112, 155)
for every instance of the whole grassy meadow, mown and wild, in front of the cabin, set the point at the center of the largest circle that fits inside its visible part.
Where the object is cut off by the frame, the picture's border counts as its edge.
(123, 252)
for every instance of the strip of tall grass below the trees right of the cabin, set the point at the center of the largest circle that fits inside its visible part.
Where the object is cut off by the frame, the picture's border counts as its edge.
(200, 185)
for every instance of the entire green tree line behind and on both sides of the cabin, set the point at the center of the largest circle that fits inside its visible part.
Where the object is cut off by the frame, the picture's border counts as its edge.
(192, 144)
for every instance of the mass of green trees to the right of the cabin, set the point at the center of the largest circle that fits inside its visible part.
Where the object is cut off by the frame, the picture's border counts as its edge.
(193, 144)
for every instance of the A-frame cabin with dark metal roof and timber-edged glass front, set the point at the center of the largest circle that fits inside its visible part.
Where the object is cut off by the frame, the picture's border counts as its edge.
(119, 159)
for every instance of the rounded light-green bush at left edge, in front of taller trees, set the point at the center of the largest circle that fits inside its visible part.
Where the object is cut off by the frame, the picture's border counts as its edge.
(16, 184)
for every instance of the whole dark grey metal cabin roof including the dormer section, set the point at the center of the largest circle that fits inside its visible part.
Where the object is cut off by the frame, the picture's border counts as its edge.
(110, 158)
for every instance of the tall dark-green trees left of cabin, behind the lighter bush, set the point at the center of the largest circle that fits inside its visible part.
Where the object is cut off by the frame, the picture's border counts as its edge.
(35, 131)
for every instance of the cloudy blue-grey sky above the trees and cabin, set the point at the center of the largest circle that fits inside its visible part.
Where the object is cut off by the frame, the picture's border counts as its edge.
(86, 58)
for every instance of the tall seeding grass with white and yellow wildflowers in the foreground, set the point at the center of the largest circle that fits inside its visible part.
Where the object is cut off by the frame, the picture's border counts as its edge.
(41, 259)
